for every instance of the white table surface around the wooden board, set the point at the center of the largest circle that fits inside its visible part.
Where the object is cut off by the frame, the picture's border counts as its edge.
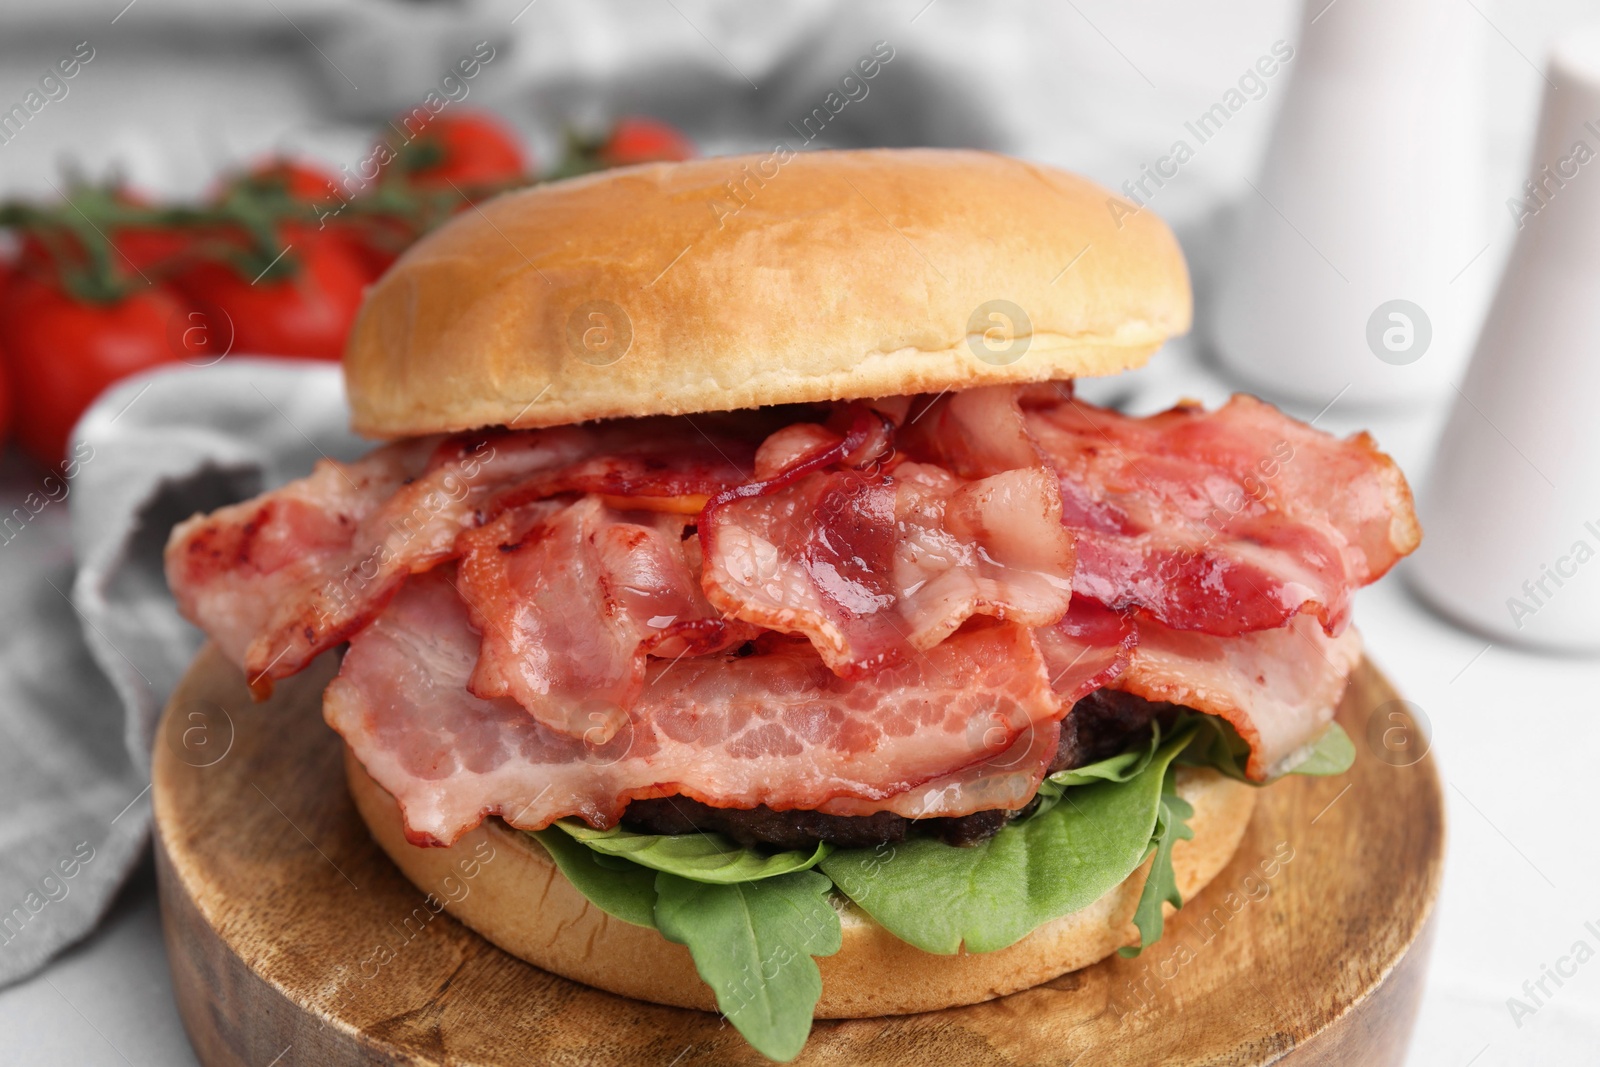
(1514, 737)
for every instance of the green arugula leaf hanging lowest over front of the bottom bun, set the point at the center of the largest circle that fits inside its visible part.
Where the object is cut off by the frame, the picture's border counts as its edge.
(753, 943)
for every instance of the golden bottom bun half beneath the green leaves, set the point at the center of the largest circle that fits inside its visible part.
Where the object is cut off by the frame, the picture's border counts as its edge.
(526, 906)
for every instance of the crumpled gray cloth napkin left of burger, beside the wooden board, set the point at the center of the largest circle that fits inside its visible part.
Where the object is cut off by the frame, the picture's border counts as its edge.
(105, 645)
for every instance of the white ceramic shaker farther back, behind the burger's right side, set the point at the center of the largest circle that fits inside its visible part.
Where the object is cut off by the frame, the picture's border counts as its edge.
(1346, 273)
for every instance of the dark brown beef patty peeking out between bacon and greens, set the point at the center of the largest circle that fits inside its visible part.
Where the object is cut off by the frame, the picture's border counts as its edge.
(1102, 725)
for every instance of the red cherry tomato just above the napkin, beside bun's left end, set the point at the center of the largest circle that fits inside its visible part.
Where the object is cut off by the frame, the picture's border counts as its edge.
(306, 314)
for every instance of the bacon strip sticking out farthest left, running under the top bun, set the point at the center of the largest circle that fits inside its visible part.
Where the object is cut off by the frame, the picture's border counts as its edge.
(292, 573)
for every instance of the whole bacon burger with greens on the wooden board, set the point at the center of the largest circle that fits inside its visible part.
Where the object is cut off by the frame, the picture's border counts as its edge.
(748, 597)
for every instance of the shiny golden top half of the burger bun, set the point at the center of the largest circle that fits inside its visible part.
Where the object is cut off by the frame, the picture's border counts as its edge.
(769, 279)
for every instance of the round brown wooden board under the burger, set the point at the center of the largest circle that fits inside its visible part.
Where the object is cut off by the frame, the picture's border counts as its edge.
(295, 941)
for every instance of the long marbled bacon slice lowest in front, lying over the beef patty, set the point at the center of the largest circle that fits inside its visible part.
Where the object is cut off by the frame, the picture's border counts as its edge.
(774, 729)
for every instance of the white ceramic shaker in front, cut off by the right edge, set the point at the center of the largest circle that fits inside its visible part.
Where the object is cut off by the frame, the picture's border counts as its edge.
(1513, 506)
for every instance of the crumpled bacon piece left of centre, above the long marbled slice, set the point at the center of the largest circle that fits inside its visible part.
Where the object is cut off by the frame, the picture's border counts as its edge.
(572, 597)
